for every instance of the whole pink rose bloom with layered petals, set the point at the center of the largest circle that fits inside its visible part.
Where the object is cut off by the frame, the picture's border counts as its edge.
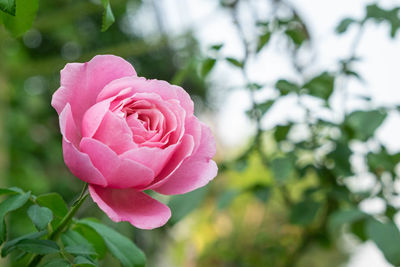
(124, 134)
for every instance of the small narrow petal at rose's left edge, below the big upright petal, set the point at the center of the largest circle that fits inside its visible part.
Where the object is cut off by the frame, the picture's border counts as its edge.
(68, 127)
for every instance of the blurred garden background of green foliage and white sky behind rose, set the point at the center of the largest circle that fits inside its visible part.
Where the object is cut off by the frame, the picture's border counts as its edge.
(303, 99)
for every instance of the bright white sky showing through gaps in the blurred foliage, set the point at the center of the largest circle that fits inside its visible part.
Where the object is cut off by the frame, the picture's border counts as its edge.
(380, 69)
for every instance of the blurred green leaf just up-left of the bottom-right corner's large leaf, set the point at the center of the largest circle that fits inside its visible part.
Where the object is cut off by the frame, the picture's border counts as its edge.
(341, 217)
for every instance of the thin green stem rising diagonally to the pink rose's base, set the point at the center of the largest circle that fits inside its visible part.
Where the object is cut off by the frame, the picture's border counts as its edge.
(64, 222)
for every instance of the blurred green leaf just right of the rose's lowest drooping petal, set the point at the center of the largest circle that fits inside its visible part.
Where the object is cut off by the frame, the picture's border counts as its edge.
(182, 205)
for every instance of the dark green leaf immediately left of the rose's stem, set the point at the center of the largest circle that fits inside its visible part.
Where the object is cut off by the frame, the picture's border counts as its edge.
(56, 204)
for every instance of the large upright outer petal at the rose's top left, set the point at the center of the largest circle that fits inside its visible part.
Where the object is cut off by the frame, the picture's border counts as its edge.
(82, 82)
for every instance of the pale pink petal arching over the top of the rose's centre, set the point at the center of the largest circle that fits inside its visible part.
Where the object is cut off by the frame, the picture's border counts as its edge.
(141, 85)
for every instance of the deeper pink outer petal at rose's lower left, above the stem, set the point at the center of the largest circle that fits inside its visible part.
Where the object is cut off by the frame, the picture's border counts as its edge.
(80, 165)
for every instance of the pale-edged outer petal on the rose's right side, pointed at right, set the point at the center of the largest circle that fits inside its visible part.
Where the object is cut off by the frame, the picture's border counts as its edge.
(196, 171)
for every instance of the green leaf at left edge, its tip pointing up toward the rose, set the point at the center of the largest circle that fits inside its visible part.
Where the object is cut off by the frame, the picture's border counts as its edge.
(10, 204)
